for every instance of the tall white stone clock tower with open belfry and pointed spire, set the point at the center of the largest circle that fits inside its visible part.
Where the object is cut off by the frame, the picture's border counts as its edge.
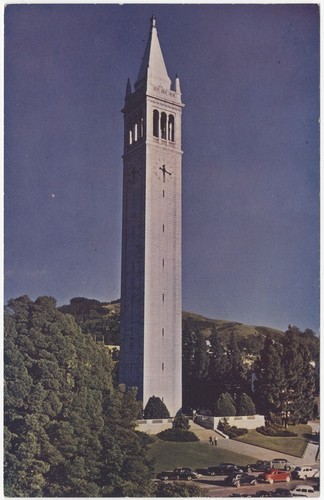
(151, 329)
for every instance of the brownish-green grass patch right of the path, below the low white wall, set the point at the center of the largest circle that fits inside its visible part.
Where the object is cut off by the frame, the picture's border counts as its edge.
(291, 445)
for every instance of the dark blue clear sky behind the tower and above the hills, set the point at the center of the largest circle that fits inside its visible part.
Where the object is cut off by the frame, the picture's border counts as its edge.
(250, 81)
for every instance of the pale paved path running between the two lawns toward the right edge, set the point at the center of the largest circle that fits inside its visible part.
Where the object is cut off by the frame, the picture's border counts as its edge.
(309, 457)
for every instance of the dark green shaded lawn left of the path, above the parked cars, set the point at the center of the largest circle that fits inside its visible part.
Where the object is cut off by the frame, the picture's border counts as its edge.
(168, 455)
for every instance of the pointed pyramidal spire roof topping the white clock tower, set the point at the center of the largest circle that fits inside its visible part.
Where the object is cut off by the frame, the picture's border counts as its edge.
(153, 68)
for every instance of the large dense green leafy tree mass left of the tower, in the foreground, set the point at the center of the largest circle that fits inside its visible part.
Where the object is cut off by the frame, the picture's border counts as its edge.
(68, 432)
